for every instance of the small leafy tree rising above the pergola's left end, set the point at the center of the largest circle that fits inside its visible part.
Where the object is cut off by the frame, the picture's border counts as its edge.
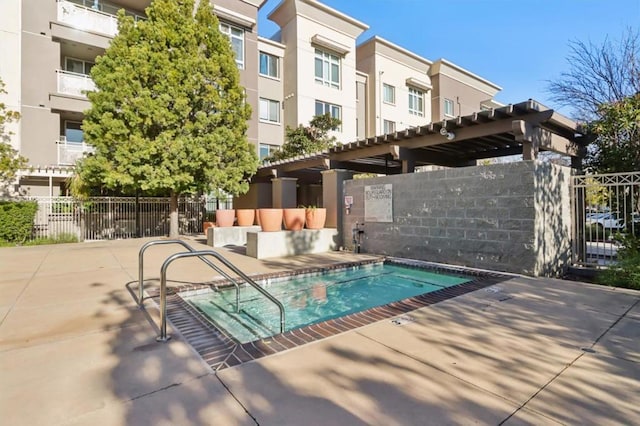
(307, 139)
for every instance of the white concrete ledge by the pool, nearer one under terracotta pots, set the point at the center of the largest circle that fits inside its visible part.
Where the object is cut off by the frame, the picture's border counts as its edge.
(262, 245)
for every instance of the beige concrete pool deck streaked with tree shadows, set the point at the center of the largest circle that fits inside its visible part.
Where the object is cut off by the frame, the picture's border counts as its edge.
(75, 350)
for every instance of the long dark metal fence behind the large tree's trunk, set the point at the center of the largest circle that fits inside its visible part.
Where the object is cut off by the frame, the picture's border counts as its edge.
(106, 218)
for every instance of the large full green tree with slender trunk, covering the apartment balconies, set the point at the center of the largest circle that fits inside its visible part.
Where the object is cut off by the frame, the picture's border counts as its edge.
(168, 115)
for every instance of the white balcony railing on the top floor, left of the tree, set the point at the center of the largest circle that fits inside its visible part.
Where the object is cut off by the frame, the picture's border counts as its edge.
(86, 18)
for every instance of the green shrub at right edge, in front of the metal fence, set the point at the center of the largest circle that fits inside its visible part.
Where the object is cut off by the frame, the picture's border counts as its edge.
(626, 272)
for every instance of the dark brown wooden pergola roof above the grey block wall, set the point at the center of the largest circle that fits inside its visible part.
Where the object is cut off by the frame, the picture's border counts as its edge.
(525, 128)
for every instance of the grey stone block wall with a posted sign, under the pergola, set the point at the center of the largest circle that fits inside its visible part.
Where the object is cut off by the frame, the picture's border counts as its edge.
(512, 217)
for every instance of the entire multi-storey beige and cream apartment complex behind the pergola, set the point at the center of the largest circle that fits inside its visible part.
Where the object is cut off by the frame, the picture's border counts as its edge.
(313, 65)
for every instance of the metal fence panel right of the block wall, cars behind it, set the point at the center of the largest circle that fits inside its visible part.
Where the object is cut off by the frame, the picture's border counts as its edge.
(605, 207)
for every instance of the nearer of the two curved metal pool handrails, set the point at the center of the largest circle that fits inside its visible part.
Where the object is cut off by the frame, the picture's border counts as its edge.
(163, 287)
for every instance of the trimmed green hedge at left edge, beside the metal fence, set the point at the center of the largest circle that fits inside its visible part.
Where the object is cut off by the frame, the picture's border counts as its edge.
(16, 220)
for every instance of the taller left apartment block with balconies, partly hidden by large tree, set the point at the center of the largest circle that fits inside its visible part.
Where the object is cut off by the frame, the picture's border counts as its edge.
(54, 44)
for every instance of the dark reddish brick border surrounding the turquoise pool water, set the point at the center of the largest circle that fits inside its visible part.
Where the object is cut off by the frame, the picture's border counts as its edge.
(220, 351)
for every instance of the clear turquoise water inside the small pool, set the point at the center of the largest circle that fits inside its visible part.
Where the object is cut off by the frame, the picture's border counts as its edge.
(312, 299)
